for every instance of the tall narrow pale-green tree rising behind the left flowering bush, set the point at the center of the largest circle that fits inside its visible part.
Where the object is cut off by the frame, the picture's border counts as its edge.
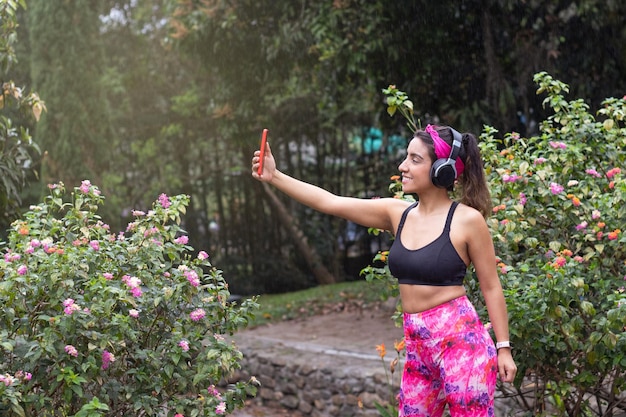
(66, 63)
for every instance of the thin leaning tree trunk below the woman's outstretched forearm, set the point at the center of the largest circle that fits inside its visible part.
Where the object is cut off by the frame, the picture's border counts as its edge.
(313, 260)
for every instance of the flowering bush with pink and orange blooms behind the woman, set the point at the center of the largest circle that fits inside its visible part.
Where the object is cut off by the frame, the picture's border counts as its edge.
(557, 228)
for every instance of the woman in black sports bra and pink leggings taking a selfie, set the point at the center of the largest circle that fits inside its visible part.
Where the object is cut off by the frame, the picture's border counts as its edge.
(450, 357)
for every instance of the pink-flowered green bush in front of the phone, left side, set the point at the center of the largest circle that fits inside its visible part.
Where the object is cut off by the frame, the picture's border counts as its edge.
(102, 324)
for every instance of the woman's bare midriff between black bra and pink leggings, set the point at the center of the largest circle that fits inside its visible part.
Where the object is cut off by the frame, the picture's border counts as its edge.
(418, 298)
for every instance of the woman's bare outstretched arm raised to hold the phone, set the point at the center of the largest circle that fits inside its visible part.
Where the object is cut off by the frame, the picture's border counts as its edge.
(378, 213)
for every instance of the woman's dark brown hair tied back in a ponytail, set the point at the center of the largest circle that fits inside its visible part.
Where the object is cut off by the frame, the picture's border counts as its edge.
(473, 184)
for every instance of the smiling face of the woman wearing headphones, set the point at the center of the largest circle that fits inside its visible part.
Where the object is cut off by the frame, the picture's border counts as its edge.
(415, 168)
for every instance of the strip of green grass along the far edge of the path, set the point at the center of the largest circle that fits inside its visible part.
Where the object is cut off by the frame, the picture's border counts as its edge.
(317, 300)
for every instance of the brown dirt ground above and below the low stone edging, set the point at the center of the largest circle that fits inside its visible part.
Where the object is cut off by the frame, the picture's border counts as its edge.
(357, 330)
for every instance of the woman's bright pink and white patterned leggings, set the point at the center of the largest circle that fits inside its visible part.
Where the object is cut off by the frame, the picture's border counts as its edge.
(450, 359)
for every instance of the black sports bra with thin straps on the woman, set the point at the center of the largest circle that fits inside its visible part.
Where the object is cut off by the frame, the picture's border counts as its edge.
(437, 263)
